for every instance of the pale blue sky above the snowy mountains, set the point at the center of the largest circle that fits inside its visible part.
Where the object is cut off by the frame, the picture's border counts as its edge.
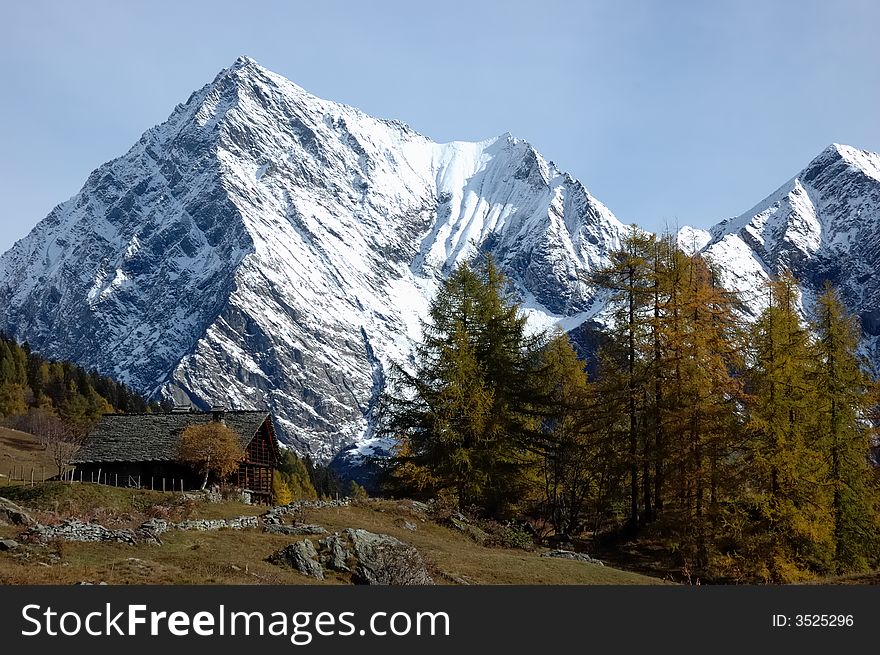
(670, 112)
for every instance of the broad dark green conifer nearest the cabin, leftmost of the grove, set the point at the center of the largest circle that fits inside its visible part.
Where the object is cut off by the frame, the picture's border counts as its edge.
(462, 419)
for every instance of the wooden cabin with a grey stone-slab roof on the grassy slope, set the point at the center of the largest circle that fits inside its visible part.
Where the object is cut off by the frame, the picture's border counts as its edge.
(140, 450)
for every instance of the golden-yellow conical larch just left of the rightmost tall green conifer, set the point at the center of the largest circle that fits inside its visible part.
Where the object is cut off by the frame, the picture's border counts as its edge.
(788, 528)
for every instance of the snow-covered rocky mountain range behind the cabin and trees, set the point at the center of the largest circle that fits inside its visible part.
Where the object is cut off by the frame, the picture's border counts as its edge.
(266, 248)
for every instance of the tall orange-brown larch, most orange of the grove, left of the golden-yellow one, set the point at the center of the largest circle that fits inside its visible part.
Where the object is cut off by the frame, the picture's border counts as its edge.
(700, 356)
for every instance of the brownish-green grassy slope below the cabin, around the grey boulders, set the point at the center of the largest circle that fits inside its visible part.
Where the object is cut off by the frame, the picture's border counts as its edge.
(239, 556)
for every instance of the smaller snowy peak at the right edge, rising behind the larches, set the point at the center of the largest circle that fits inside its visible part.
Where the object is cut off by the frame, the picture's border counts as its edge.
(823, 224)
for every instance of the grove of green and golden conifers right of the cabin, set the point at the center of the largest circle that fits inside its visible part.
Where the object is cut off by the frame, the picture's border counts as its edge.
(742, 448)
